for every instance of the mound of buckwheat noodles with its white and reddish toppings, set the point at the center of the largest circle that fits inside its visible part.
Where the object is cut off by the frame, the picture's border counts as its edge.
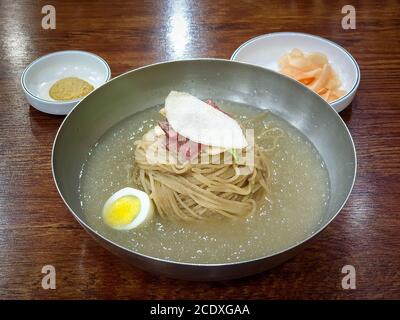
(189, 164)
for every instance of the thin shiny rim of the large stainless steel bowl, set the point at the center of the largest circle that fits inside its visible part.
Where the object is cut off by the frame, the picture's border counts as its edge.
(207, 265)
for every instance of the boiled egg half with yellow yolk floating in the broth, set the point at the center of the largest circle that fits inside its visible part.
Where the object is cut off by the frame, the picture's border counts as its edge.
(128, 208)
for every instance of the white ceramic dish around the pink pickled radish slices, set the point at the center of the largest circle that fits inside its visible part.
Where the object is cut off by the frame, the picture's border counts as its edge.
(266, 50)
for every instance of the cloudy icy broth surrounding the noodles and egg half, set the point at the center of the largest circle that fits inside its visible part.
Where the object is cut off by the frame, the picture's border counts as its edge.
(300, 193)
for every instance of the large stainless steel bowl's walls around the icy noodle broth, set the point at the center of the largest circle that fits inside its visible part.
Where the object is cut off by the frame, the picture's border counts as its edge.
(146, 87)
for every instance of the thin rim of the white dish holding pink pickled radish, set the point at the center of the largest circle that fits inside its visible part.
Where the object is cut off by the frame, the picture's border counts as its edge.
(334, 103)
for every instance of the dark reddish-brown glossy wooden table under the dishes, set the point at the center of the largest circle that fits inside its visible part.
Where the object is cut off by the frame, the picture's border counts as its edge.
(36, 229)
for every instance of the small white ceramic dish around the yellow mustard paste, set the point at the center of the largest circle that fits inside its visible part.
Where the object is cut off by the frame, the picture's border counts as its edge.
(42, 73)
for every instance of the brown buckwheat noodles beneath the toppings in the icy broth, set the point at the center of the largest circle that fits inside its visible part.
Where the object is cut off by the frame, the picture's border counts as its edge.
(202, 191)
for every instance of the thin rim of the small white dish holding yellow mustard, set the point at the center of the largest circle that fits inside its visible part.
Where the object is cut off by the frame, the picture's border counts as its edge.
(46, 56)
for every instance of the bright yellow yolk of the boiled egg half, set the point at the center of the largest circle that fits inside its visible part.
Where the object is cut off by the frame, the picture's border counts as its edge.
(122, 211)
